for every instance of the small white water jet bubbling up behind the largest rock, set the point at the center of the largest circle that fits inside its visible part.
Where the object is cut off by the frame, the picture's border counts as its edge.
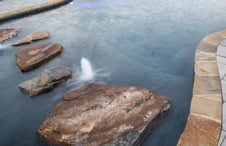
(86, 70)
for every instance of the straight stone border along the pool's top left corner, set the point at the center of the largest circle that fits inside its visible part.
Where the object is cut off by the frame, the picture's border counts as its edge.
(32, 10)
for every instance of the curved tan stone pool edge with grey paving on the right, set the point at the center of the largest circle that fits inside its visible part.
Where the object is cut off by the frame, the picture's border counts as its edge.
(205, 124)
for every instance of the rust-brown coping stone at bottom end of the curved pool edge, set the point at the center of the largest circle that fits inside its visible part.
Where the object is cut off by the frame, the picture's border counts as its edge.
(200, 131)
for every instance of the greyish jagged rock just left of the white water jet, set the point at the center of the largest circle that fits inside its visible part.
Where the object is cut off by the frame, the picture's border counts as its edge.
(46, 81)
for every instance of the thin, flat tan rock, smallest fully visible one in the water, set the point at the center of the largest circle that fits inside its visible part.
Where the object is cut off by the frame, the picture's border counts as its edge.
(32, 37)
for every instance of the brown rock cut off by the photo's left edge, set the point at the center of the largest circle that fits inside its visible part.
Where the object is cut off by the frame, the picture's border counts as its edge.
(7, 34)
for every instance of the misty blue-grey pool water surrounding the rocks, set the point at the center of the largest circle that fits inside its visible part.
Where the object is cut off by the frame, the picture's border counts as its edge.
(141, 43)
